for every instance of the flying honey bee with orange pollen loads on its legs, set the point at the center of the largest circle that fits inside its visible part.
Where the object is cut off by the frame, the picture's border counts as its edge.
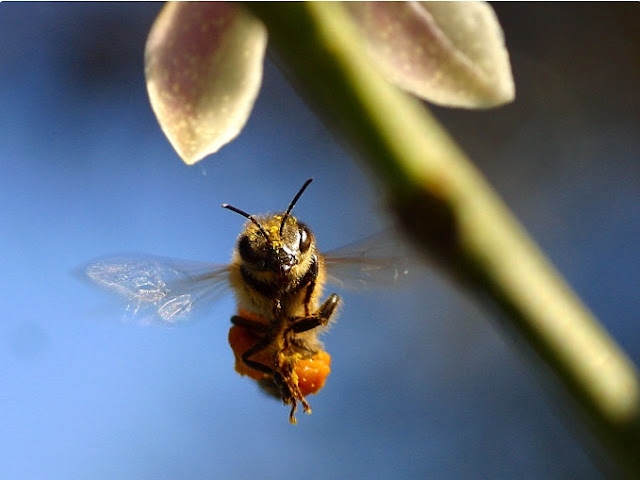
(277, 274)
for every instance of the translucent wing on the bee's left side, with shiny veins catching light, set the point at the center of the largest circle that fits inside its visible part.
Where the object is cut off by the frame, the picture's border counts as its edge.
(157, 289)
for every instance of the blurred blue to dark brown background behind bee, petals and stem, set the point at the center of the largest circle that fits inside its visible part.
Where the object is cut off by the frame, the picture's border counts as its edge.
(423, 385)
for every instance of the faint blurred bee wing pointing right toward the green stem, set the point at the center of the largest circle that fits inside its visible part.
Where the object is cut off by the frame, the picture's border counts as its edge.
(379, 260)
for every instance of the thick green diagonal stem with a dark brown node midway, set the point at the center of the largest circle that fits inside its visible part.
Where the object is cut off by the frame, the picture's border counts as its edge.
(448, 210)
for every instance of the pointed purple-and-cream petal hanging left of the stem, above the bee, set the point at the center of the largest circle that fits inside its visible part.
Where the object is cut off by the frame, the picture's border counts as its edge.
(203, 64)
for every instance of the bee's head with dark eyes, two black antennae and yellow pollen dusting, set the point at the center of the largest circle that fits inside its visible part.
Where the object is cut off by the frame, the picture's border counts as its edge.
(276, 245)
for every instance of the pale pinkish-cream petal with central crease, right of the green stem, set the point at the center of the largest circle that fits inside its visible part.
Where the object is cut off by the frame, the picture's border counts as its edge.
(450, 53)
